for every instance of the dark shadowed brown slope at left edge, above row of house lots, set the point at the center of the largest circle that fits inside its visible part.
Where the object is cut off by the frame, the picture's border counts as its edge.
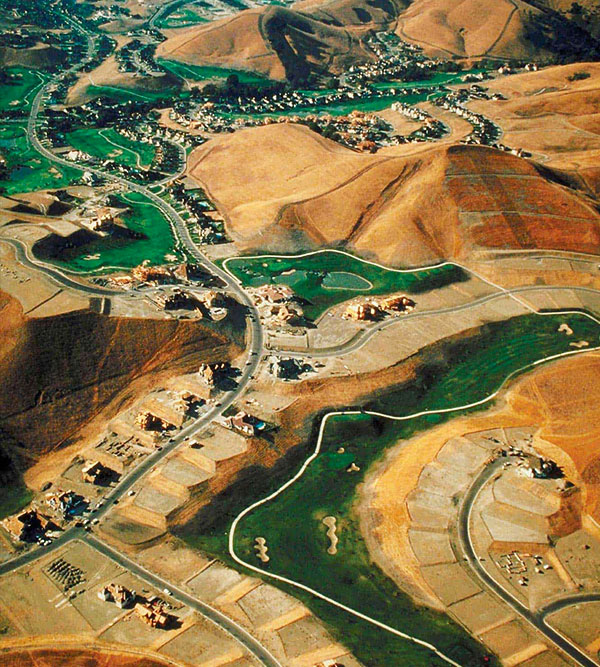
(61, 372)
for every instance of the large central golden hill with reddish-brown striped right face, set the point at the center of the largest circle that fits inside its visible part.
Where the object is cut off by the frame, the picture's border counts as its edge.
(293, 190)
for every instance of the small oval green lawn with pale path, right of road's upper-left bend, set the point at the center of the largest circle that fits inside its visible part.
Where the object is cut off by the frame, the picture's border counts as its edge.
(108, 143)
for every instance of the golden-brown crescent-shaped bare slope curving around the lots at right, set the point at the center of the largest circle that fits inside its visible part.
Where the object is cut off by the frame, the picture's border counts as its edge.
(562, 398)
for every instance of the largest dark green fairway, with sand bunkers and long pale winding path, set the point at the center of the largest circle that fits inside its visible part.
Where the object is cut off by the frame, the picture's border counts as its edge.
(459, 372)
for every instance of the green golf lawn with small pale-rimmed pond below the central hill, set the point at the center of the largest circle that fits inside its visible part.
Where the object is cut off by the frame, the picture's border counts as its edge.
(313, 276)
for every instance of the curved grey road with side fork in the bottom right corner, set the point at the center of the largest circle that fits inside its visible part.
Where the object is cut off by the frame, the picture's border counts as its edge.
(537, 618)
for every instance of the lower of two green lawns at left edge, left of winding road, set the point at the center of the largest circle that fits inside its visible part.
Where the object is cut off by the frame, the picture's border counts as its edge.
(27, 169)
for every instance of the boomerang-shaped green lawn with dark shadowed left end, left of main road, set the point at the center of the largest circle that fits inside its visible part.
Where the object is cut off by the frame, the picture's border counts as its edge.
(118, 251)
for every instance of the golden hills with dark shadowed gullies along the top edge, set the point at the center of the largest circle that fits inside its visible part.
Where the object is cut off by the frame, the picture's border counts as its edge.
(316, 39)
